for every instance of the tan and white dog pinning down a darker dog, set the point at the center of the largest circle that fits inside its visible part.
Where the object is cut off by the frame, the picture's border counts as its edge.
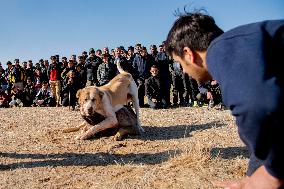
(106, 101)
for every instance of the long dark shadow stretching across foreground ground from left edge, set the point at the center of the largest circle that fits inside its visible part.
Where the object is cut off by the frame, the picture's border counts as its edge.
(82, 159)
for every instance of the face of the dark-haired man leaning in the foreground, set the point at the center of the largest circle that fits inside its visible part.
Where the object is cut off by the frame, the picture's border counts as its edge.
(197, 72)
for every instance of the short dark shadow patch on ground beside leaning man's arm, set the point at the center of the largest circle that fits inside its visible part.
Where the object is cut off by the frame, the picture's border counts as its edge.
(230, 152)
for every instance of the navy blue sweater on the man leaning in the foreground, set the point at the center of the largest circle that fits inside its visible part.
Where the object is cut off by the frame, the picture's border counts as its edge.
(248, 63)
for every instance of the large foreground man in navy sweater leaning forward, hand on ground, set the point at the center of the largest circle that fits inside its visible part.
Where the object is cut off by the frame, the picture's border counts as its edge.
(247, 62)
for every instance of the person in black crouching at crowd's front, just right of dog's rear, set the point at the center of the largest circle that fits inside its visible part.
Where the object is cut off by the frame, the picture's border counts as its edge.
(155, 89)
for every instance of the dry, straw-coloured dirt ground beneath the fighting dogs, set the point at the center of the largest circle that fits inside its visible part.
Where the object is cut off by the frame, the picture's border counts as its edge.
(182, 148)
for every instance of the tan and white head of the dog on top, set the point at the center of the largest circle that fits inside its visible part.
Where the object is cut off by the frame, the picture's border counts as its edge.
(90, 100)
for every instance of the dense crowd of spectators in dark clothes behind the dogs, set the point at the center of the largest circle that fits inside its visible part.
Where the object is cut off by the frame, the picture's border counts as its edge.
(55, 82)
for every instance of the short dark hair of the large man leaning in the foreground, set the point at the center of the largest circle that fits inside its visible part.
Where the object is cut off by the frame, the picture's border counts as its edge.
(193, 30)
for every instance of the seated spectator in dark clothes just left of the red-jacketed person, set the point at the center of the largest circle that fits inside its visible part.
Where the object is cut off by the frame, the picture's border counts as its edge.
(44, 97)
